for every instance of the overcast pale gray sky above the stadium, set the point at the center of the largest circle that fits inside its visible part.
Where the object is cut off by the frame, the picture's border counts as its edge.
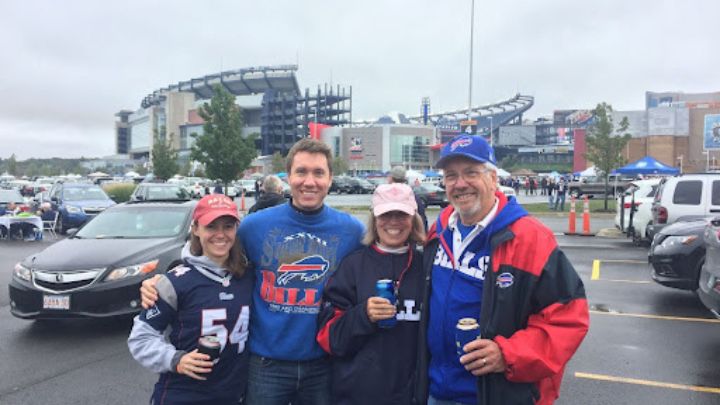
(69, 66)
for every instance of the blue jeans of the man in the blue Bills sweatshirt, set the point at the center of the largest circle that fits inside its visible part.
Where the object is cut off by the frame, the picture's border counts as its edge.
(279, 382)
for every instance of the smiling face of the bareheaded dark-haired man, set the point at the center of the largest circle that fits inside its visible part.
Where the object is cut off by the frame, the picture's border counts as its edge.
(309, 180)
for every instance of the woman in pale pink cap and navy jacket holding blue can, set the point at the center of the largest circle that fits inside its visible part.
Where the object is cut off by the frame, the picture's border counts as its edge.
(372, 341)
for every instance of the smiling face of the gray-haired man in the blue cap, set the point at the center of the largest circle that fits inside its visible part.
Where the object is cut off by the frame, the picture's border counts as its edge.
(470, 188)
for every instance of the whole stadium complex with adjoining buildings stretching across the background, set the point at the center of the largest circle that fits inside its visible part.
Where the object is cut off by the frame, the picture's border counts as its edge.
(670, 128)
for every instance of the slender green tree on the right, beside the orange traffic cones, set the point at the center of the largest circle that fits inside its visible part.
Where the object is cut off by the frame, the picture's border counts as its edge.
(605, 143)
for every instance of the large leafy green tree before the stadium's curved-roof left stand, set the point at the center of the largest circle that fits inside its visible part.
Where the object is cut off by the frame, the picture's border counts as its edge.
(221, 147)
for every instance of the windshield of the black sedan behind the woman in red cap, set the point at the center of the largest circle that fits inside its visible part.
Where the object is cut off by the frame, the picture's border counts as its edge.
(136, 223)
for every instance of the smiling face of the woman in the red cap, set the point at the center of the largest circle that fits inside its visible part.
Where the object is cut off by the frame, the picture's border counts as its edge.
(217, 238)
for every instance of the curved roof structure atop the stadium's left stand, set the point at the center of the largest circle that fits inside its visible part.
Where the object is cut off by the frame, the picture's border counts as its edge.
(240, 82)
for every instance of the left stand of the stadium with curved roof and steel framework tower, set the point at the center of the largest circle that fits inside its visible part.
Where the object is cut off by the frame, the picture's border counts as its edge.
(270, 97)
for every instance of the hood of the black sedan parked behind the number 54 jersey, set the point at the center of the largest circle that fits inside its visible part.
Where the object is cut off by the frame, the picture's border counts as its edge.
(83, 254)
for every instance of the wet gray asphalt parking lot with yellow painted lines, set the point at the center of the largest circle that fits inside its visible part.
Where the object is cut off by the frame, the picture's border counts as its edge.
(647, 343)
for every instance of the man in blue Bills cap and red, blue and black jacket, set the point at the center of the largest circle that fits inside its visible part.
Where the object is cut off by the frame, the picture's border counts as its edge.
(487, 259)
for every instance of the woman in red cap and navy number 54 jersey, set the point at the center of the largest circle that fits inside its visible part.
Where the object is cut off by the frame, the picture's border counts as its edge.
(205, 306)
